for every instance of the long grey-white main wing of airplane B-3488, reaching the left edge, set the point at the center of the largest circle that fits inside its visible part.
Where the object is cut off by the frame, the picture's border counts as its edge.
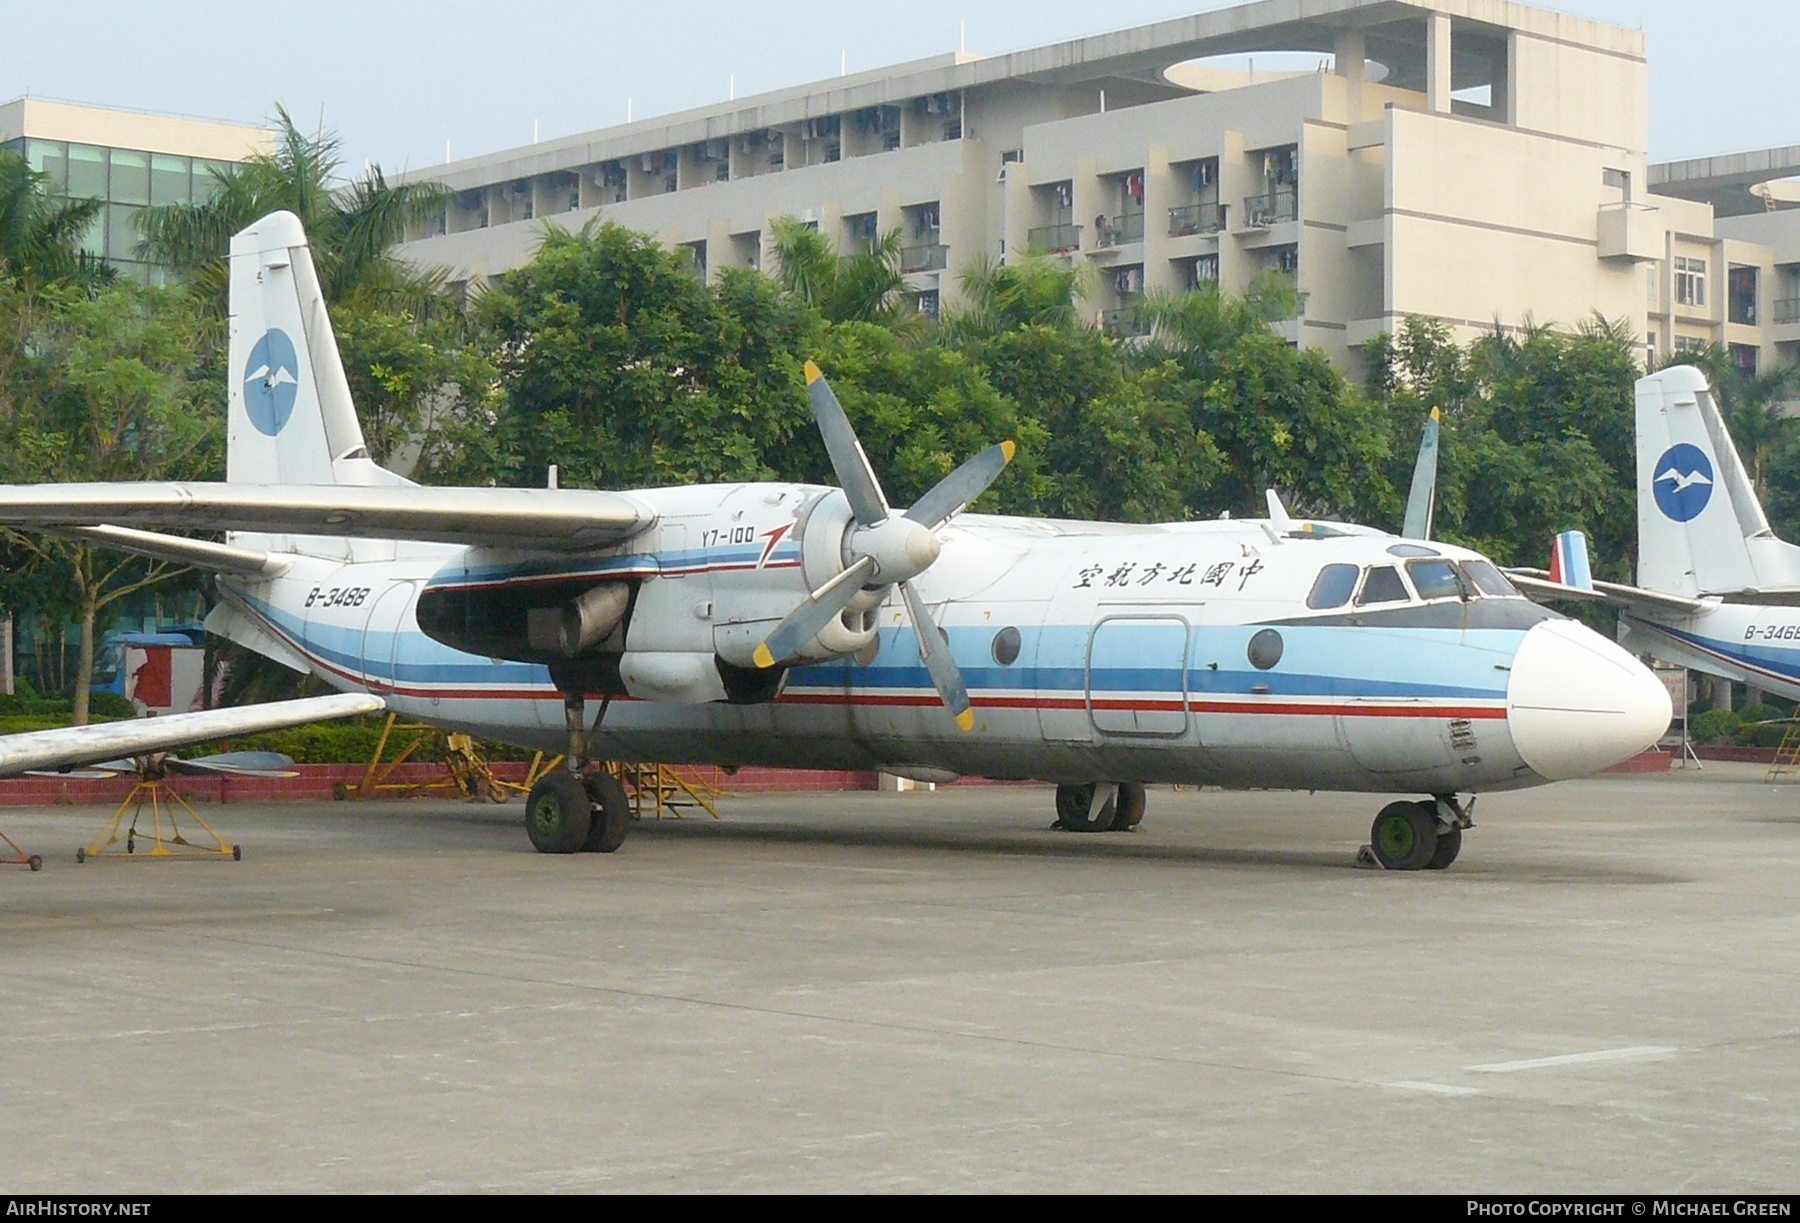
(557, 520)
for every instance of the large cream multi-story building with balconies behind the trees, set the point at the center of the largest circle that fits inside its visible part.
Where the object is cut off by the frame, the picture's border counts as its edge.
(1471, 161)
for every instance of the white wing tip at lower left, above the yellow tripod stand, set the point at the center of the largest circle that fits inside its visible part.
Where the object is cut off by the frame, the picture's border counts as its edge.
(107, 741)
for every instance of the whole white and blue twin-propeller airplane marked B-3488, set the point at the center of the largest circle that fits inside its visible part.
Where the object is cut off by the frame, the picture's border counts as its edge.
(816, 628)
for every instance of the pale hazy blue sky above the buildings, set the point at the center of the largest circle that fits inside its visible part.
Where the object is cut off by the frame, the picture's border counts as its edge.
(399, 80)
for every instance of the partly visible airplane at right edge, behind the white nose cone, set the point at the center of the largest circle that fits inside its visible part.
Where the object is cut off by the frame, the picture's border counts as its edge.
(1716, 590)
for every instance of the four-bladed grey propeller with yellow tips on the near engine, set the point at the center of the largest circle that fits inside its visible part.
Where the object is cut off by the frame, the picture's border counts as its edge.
(885, 548)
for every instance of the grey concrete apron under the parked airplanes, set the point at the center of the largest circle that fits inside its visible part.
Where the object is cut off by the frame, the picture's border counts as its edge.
(919, 992)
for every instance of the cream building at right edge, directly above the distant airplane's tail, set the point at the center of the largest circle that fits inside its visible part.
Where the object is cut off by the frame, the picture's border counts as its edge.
(1731, 267)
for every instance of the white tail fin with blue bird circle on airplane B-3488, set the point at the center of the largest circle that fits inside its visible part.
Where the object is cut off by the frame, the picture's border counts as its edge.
(291, 419)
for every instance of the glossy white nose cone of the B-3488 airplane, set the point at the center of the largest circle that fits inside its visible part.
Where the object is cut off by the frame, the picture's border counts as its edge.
(1578, 703)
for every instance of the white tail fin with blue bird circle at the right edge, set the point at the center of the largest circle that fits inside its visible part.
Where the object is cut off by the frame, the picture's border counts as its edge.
(1700, 525)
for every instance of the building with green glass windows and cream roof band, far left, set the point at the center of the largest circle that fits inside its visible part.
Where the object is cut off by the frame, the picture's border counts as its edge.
(127, 158)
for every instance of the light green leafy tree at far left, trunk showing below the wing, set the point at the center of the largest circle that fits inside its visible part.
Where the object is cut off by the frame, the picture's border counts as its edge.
(111, 395)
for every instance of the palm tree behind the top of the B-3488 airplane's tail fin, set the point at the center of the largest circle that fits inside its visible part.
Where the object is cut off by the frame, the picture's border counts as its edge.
(352, 230)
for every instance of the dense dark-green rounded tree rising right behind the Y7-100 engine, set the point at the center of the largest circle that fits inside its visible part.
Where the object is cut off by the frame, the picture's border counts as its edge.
(625, 370)
